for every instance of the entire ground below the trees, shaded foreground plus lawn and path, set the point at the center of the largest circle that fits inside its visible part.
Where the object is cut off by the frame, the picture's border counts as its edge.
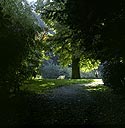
(63, 102)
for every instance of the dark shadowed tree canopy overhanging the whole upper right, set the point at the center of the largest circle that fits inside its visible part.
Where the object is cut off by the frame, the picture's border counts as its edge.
(99, 25)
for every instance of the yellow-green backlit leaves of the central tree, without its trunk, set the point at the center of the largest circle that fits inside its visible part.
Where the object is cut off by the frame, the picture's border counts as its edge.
(63, 45)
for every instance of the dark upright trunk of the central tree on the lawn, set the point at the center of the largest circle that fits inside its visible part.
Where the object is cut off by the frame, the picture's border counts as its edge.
(75, 68)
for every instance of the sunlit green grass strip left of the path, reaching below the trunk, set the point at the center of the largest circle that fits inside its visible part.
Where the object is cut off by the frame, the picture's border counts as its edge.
(43, 85)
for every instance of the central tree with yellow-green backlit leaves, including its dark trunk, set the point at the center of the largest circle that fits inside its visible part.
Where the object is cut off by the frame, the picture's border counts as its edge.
(69, 53)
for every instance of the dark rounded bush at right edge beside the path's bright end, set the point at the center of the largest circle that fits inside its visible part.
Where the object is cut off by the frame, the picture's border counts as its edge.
(113, 74)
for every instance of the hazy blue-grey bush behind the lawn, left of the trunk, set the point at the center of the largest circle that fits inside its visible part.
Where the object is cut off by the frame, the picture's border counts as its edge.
(53, 71)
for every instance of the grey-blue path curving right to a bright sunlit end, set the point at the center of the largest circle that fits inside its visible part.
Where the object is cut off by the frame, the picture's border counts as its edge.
(72, 91)
